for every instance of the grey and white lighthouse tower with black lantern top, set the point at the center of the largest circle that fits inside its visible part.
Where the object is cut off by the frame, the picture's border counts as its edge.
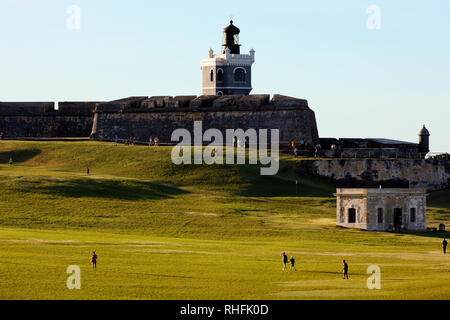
(230, 71)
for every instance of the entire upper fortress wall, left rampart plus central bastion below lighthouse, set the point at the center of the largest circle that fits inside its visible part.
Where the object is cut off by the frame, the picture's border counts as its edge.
(142, 117)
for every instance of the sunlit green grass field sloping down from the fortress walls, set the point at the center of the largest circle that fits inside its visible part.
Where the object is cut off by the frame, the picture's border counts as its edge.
(163, 231)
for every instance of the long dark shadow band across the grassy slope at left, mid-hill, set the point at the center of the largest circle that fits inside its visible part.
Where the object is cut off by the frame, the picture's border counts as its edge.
(108, 189)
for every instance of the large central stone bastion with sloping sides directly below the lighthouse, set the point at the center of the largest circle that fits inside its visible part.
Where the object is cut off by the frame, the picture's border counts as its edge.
(142, 117)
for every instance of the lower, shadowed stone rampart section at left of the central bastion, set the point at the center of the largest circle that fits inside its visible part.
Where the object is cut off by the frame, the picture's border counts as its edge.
(41, 119)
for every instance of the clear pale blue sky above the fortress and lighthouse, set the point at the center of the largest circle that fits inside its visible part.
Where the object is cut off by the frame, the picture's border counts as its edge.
(369, 69)
